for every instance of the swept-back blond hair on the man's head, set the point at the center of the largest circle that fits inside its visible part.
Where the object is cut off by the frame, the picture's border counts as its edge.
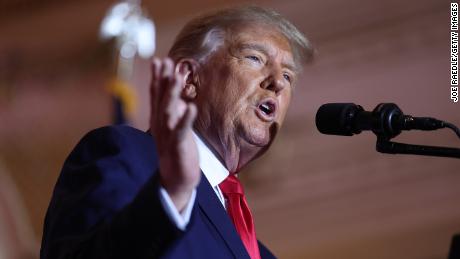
(203, 35)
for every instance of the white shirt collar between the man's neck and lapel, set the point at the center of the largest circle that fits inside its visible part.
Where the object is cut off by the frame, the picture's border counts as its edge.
(211, 166)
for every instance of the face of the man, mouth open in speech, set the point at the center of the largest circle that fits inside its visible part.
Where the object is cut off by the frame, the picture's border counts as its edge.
(246, 88)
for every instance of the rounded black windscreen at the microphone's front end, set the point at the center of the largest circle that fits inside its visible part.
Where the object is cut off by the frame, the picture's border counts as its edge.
(336, 118)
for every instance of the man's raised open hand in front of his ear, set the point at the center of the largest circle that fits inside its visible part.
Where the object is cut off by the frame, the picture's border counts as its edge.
(171, 122)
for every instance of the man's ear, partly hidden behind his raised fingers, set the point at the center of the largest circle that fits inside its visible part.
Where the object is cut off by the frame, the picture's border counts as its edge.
(189, 68)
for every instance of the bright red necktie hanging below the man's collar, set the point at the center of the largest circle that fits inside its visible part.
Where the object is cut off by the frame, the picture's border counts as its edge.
(238, 209)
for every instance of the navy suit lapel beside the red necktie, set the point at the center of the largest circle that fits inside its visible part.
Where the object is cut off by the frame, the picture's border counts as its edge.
(212, 208)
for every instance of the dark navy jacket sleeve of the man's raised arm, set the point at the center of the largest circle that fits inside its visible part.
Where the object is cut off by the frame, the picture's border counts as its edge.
(106, 201)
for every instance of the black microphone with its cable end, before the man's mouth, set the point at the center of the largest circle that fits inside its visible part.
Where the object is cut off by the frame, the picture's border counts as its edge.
(386, 120)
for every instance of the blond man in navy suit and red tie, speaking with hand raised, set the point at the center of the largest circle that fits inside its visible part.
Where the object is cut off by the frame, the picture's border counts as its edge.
(217, 103)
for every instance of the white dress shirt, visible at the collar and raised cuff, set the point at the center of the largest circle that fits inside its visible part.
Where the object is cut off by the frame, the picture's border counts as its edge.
(214, 171)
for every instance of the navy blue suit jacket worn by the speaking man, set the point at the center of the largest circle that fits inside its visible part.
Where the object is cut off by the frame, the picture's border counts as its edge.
(106, 205)
